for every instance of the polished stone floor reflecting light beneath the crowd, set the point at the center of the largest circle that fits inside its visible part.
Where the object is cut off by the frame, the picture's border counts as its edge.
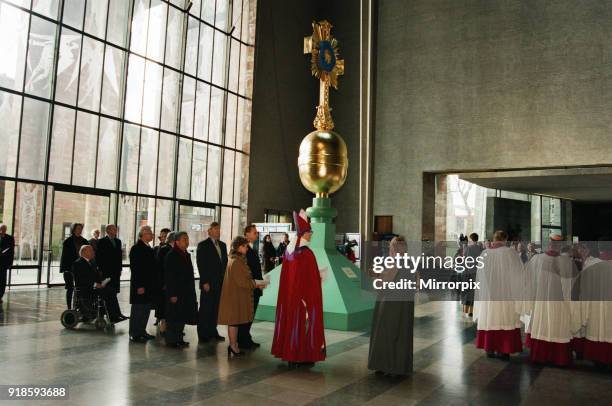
(106, 369)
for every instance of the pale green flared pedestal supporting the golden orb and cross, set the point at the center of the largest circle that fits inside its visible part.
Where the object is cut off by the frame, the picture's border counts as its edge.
(346, 306)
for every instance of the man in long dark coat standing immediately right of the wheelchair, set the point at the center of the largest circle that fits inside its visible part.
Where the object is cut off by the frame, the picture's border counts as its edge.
(142, 285)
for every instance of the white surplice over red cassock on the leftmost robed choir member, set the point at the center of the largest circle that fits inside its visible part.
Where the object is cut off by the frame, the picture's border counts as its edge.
(498, 302)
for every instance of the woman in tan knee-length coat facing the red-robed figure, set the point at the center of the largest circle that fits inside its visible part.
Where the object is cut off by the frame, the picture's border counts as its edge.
(236, 305)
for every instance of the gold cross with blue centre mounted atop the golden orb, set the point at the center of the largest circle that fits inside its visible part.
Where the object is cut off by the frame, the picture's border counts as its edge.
(325, 65)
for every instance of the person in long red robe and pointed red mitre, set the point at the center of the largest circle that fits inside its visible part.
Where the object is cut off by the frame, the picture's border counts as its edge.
(299, 338)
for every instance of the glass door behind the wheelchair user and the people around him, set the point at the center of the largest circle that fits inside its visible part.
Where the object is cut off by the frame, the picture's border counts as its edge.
(70, 207)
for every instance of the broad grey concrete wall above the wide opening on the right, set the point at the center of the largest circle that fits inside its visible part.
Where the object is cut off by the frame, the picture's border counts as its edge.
(495, 84)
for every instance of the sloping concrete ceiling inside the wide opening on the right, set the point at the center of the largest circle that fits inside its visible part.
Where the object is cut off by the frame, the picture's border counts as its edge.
(579, 184)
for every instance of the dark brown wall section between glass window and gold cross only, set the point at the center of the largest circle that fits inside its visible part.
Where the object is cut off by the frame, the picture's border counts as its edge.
(284, 100)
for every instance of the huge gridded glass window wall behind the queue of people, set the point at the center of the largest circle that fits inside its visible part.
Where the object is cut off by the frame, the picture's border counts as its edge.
(139, 100)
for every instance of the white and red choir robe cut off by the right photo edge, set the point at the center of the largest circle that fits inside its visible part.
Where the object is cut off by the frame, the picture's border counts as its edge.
(596, 311)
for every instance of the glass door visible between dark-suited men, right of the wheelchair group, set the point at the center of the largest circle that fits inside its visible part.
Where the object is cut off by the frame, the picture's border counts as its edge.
(195, 221)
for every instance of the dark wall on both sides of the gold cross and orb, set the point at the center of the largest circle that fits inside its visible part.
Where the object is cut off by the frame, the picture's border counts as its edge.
(284, 105)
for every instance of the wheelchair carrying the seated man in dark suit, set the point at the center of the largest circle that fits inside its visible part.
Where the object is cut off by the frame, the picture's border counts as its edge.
(86, 310)
